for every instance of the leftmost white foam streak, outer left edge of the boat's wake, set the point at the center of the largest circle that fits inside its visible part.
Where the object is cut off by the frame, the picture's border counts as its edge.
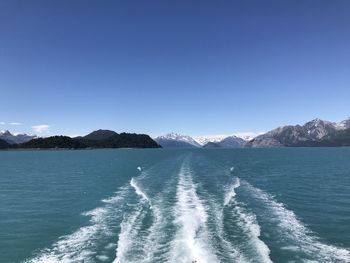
(79, 246)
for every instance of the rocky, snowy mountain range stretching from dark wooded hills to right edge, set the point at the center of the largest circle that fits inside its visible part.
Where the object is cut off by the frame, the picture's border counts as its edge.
(314, 133)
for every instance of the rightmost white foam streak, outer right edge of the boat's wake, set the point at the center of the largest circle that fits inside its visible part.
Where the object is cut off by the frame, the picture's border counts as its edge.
(291, 228)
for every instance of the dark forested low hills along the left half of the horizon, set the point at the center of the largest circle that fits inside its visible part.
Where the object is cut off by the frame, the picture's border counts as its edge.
(96, 139)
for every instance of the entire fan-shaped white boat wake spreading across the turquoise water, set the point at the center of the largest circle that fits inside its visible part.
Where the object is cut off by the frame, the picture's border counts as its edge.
(185, 222)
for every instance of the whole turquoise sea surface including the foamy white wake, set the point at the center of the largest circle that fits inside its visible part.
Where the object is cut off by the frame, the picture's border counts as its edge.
(158, 205)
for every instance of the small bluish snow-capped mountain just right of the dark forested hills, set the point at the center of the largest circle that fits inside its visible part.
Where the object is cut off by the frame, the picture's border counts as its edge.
(175, 140)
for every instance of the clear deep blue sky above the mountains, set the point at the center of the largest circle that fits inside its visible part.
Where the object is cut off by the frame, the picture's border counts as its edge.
(195, 67)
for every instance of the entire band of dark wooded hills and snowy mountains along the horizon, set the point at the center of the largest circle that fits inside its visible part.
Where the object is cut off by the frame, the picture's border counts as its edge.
(315, 133)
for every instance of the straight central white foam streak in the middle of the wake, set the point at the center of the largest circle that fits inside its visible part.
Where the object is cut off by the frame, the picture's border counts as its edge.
(191, 243)
